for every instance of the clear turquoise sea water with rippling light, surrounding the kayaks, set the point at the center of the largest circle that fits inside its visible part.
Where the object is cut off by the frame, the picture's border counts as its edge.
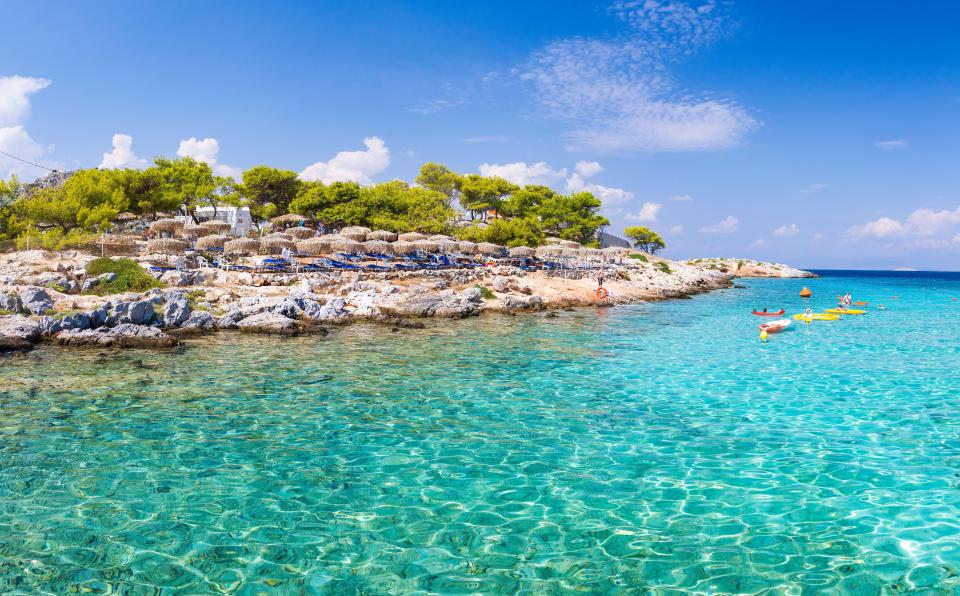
(656, 447)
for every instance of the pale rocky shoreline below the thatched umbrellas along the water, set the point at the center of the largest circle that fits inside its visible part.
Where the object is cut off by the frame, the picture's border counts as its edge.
(43, 300)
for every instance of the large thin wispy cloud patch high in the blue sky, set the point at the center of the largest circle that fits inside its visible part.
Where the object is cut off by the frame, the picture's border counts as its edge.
(618, 93)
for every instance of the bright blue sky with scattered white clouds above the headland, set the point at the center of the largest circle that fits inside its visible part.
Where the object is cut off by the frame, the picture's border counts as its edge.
(823, 134)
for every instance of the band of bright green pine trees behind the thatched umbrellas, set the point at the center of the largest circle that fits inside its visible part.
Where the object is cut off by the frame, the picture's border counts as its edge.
(90, 201)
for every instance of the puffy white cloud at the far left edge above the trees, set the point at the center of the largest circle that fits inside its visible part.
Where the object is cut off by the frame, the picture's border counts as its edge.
(15, 92)
